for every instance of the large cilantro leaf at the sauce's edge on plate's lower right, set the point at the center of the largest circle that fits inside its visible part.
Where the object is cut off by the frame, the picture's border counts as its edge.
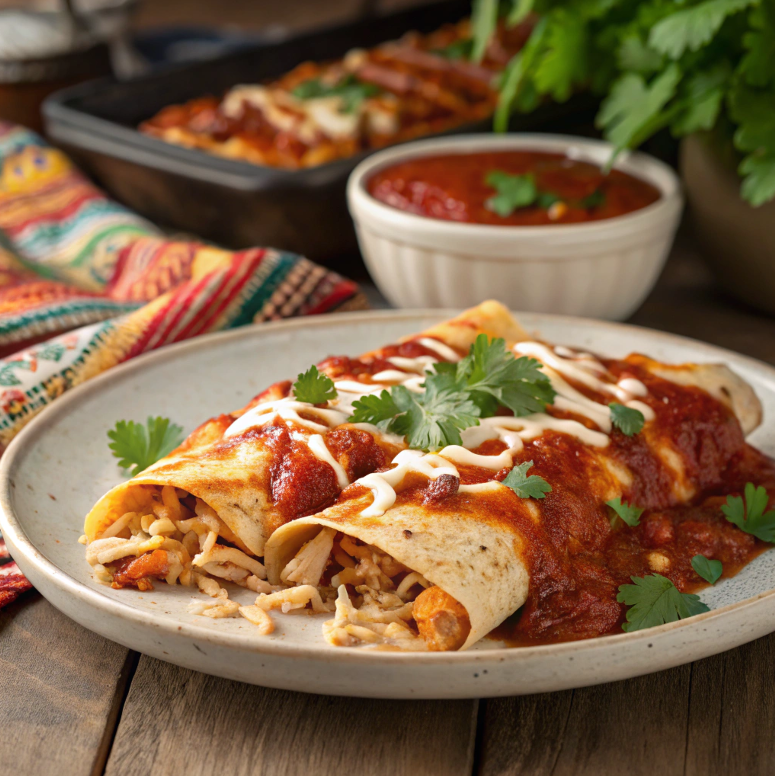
(654, 600)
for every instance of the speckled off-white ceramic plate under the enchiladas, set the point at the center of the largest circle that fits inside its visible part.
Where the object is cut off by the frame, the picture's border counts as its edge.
(57, 468)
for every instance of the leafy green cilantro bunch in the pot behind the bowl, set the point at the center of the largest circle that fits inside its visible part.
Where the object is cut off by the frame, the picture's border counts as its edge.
(684, 65)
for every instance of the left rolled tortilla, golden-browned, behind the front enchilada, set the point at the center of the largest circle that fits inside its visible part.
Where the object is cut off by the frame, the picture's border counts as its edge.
(233, 475)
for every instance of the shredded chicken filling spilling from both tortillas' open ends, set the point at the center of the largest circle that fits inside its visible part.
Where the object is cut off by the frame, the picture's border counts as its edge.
(376, 601)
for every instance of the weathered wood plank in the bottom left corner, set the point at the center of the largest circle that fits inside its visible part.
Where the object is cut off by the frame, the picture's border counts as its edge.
(60, 692)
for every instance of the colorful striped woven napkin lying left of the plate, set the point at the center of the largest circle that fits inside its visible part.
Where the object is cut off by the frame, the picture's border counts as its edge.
(85, 284)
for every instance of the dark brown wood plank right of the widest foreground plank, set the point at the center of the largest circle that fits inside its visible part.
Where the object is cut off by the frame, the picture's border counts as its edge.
(637, 727)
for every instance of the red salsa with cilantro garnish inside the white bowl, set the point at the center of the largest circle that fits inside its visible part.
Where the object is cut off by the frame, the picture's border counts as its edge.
(509, 188)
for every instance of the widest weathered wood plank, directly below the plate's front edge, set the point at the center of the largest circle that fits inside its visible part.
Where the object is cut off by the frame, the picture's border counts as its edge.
(177, 721)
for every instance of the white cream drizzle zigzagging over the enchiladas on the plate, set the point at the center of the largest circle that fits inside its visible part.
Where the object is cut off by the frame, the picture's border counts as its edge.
(559, 364)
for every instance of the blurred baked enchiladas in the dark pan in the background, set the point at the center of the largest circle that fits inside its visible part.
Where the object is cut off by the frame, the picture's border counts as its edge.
(318, 112)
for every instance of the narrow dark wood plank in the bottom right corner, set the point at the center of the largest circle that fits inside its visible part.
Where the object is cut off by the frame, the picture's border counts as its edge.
(732, 713)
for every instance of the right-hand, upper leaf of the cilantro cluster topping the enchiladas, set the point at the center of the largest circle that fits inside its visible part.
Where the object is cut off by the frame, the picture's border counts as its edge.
(494, 376)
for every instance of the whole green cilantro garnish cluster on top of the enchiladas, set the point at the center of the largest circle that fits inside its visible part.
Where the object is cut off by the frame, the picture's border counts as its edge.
(457, 395)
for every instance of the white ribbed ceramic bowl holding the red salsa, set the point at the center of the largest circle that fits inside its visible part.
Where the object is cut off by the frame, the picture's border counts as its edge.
(600, 269)
